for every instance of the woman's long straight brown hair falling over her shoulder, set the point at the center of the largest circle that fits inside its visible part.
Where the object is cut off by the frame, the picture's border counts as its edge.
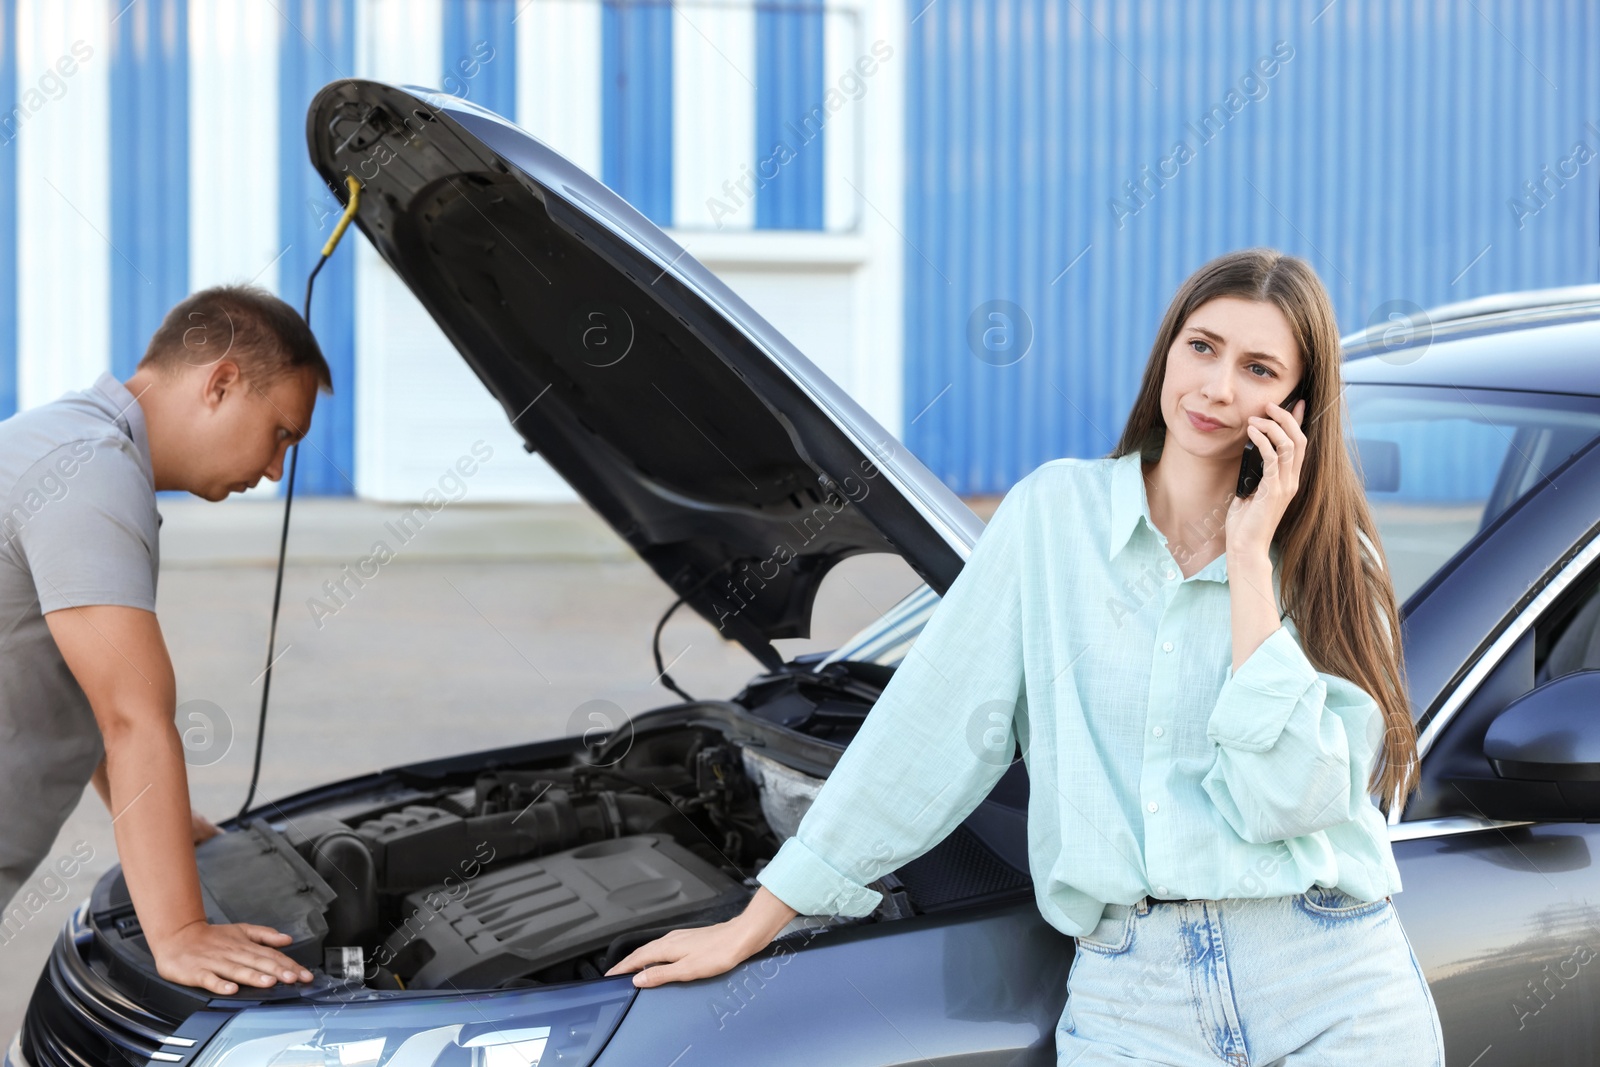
(1340, 597)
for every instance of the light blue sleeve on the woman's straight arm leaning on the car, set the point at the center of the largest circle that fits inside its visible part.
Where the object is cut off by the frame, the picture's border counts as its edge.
(934, 745)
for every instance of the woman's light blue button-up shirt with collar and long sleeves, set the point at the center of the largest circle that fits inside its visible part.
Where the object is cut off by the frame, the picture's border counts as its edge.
(1156, 769)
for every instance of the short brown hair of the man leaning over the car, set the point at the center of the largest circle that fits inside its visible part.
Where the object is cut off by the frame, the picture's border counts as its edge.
(244, 322)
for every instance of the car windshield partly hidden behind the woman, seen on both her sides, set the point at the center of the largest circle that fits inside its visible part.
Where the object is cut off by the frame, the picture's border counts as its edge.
(1441, 465)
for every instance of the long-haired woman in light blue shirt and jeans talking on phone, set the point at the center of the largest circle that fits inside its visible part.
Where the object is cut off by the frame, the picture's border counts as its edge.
(1196, 644)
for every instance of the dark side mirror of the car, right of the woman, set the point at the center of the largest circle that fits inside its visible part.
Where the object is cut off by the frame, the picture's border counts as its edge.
(1545, 749)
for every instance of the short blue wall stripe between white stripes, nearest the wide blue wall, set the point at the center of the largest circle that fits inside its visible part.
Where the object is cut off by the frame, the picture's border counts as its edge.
(790, 116)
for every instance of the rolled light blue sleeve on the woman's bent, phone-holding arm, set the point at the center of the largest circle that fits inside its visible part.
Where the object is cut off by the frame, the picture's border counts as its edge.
(1294, 746)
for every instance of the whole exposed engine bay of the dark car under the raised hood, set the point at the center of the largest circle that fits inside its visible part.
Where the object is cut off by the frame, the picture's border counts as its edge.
(519, 876)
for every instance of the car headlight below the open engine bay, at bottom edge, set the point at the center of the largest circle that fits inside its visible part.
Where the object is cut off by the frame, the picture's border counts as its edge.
(540, 1028)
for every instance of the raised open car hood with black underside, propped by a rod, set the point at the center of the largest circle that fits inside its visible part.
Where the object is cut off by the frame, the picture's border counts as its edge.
(726, 458)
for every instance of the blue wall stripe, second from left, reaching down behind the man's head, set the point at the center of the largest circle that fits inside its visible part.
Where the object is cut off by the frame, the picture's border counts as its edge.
(150, 167)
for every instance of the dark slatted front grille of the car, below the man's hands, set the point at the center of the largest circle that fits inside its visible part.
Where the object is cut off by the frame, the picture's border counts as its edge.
(79, 1020)
